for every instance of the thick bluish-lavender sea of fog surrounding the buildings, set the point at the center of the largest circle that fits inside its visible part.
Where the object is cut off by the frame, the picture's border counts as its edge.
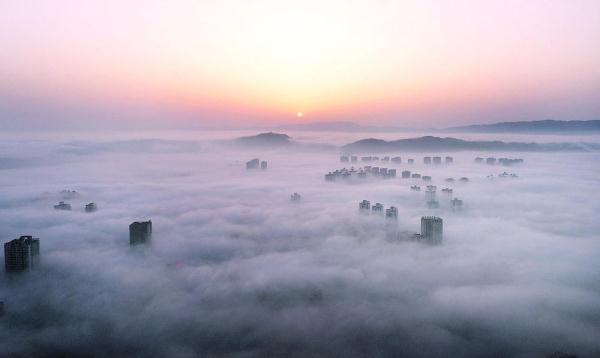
(237, 269)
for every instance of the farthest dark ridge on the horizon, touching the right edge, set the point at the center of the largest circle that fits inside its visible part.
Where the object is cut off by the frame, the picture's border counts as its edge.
(545, 126)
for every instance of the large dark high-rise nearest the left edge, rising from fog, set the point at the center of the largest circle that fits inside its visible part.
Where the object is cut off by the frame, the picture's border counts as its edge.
(21, 254)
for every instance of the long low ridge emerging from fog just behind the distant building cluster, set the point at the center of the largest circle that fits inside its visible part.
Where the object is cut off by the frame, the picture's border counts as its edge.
(431, 144)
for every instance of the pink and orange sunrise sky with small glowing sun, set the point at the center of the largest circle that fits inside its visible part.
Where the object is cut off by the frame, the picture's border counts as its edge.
(158, 63)
